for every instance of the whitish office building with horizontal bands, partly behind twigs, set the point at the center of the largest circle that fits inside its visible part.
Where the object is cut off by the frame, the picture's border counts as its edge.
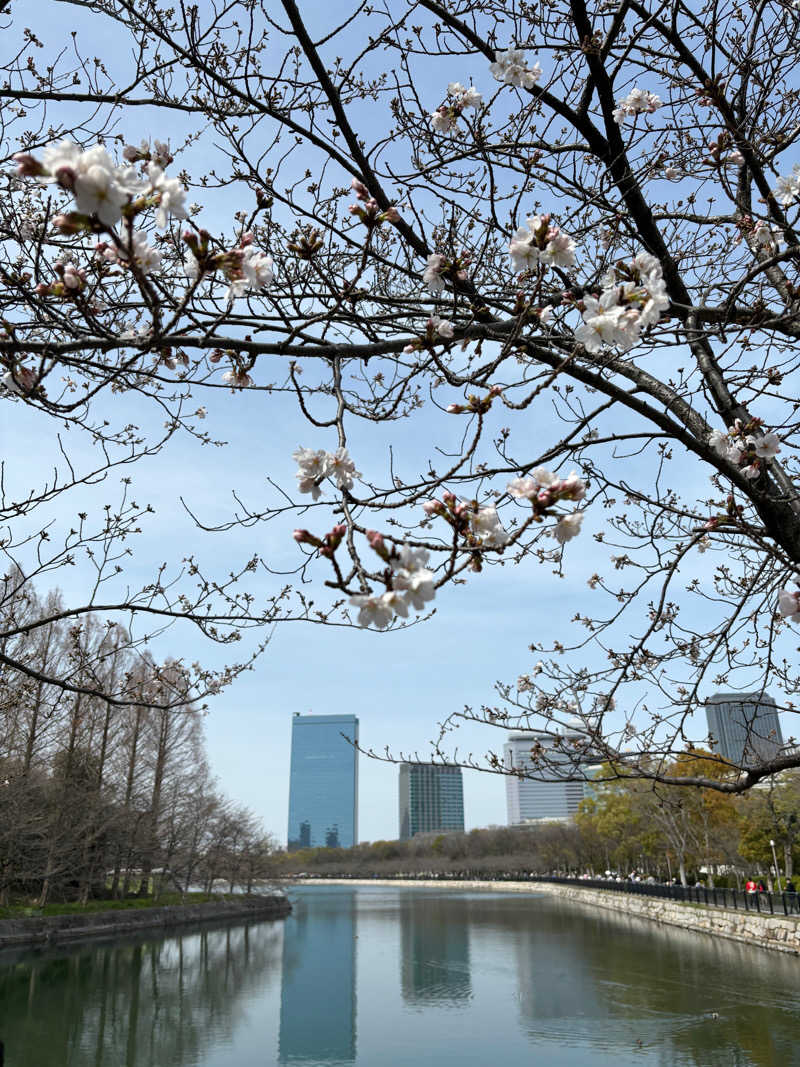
(535, 799)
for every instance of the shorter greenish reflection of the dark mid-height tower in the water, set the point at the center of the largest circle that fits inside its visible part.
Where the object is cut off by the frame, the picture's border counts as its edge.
(436, 950)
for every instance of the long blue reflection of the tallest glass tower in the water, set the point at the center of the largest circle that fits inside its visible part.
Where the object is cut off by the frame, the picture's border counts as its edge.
(318, 990)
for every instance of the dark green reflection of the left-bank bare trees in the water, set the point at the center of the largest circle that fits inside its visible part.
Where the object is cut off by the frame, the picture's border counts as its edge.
(138, 1005)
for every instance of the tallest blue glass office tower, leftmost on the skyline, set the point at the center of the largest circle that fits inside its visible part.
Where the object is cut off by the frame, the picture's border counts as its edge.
(324, 782)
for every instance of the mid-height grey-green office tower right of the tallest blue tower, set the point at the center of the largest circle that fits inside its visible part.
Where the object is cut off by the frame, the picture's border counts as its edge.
(431, 799)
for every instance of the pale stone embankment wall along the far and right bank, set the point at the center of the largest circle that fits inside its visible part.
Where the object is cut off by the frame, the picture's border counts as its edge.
(779, 933)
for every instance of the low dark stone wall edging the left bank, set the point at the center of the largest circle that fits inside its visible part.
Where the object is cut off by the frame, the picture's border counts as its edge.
(47, 930)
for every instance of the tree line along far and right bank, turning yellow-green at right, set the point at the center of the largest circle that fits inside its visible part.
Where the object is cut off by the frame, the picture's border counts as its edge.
(658, 831)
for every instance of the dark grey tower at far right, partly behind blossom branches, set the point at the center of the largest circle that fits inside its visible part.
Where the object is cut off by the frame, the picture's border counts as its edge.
(745, 727)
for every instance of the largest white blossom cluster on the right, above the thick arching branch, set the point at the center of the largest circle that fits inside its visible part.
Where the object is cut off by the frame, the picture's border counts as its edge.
(632, 299)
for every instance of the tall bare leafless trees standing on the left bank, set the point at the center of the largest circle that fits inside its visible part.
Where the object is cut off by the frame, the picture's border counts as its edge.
(101, 799)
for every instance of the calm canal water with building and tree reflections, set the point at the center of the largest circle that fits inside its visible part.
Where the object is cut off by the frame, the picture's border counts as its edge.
(404, 978)
